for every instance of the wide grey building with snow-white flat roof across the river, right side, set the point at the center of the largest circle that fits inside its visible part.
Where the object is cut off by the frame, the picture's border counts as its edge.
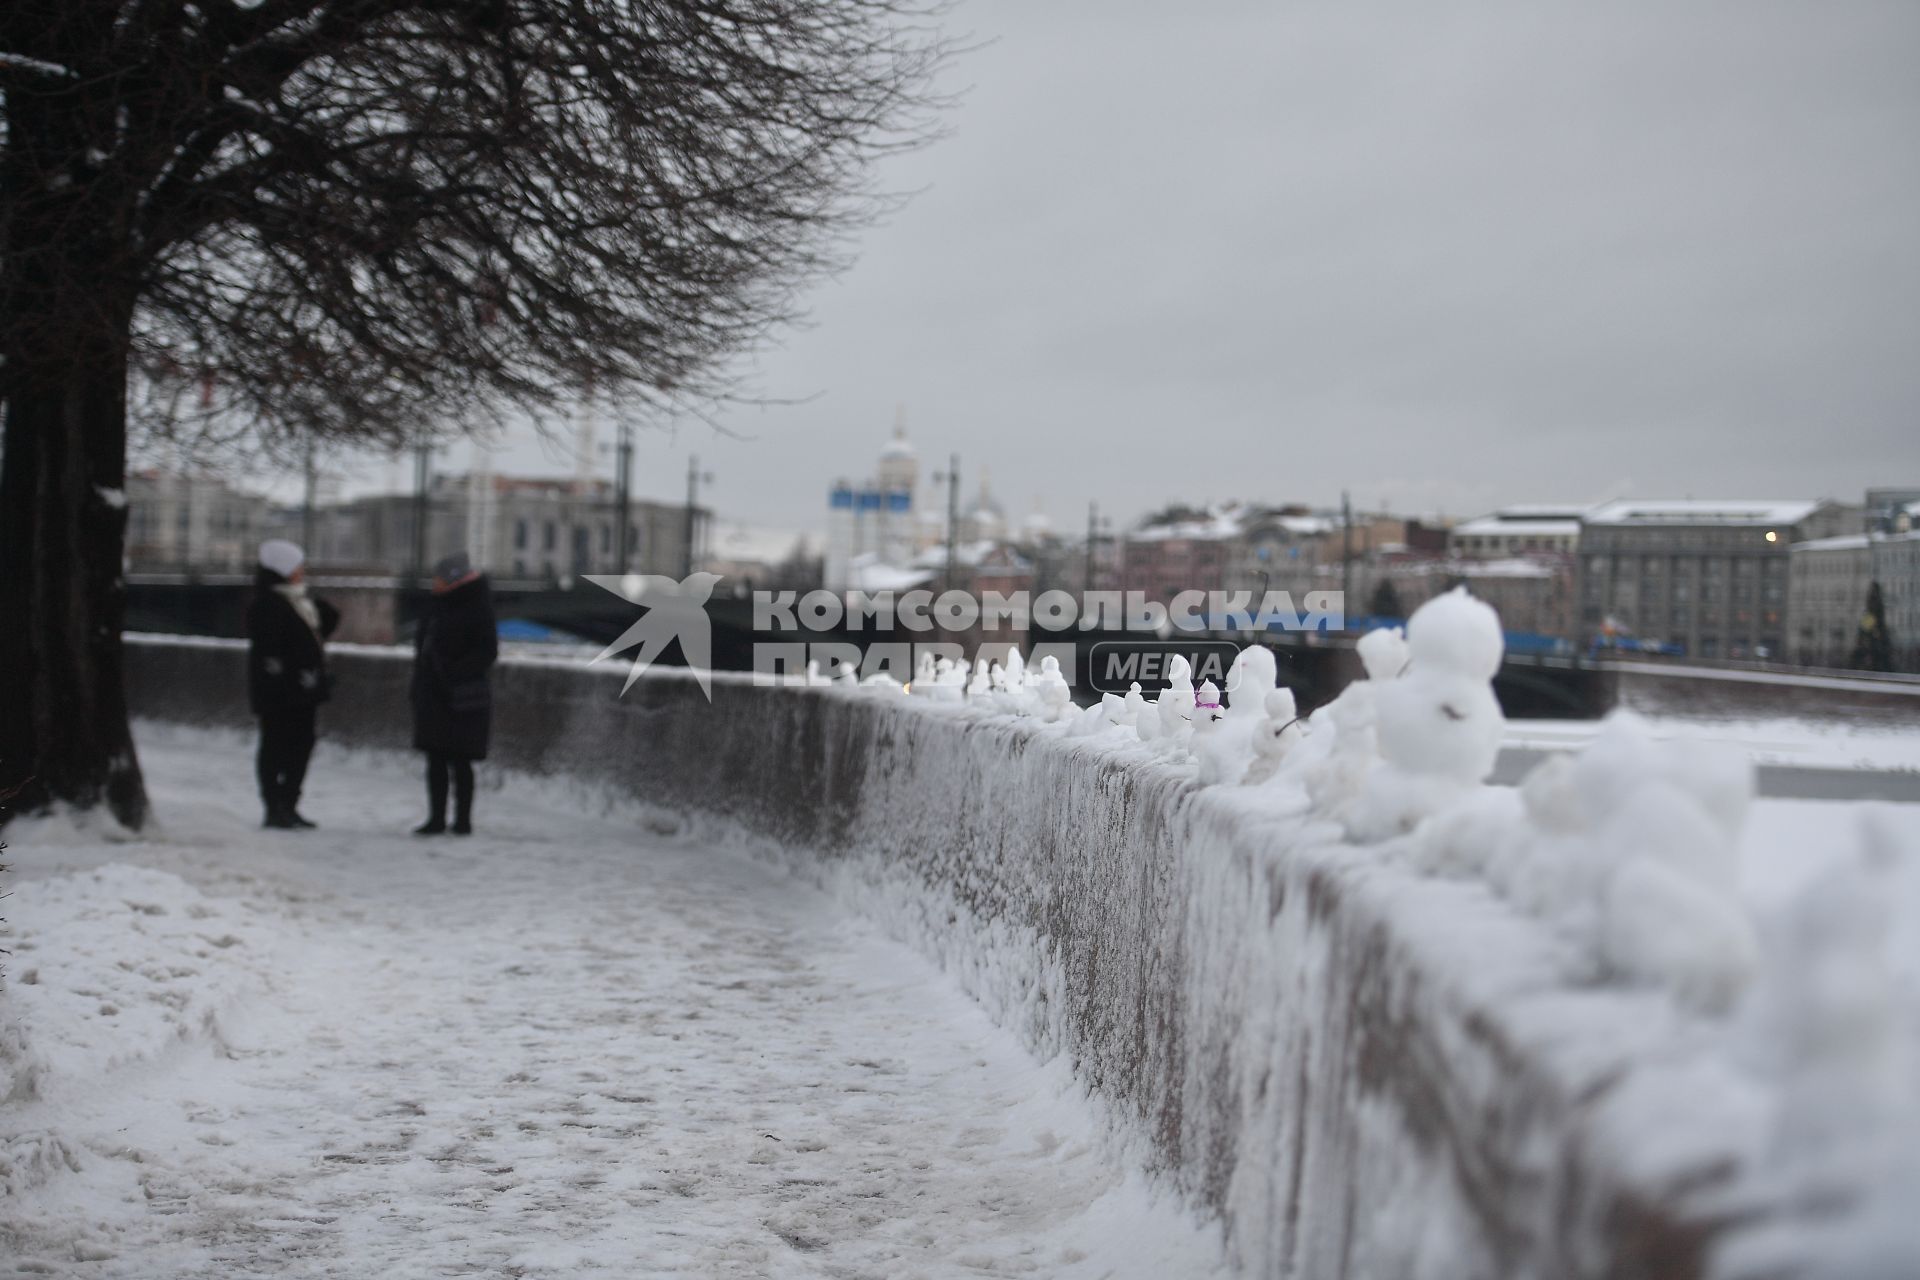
(1710, 577)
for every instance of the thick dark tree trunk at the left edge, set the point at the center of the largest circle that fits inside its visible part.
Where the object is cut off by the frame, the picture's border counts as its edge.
(64, 730)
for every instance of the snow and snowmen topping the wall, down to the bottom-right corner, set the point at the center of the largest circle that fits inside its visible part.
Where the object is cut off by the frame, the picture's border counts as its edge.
(1631, 853)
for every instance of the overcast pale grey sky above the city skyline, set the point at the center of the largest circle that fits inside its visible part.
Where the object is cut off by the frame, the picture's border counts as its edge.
(1443, 256)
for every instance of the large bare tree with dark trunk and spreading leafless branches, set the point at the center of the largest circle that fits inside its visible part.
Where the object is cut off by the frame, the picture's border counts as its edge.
(354, 220)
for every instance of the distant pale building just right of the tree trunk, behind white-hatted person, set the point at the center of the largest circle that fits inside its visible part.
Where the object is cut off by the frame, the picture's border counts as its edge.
(191, 523)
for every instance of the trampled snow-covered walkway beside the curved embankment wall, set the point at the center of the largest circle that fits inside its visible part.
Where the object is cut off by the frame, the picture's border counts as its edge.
(560, 1049)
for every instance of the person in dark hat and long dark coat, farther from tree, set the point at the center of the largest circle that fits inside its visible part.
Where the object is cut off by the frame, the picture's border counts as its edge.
(454, 652)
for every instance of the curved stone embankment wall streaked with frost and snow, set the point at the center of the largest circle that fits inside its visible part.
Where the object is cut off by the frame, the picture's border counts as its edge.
(1360, 1070)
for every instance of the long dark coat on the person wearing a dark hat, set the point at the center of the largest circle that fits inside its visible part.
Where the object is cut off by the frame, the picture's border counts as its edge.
(452, 655)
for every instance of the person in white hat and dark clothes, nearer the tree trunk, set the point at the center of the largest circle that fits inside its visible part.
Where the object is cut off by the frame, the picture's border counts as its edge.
(287, 676)
